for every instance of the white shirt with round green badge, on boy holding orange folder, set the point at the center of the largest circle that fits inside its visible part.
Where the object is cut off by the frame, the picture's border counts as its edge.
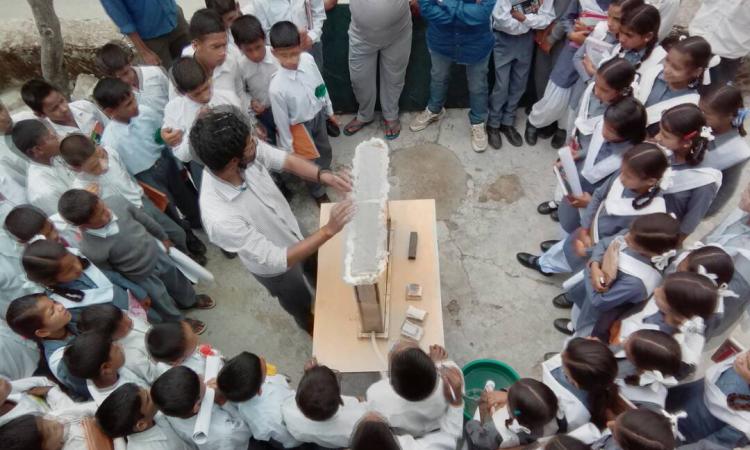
(293, 100)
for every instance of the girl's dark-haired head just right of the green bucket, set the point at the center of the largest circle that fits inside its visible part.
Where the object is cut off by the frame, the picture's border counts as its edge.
(531, 403)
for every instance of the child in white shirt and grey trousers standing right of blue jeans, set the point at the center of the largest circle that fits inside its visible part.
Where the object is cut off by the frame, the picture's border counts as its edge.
(514, 45)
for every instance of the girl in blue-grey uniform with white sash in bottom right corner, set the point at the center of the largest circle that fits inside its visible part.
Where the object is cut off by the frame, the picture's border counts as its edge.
(716, 407)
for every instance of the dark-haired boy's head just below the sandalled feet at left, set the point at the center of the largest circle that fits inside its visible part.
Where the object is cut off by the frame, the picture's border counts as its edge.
(171, 342)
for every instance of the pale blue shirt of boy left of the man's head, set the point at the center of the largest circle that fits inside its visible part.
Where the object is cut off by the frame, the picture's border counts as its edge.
(136, 141)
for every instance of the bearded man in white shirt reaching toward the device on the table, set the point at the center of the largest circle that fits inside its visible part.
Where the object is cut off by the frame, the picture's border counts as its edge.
(244, 212)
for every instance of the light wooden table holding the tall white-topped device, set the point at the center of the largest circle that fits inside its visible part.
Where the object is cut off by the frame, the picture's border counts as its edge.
(335, 337)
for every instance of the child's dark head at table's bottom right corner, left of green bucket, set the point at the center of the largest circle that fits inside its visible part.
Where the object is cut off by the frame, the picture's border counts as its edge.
(412, 372)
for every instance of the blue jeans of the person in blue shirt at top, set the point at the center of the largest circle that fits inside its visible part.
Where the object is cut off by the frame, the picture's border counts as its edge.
(476, 74)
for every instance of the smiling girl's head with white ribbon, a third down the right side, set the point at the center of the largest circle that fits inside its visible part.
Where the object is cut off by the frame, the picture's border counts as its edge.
(683, 130)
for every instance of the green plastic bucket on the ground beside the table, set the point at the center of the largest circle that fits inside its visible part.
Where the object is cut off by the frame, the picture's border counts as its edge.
(476, 374)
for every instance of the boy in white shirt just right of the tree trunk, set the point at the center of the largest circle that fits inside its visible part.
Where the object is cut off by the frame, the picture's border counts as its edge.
(150, 83)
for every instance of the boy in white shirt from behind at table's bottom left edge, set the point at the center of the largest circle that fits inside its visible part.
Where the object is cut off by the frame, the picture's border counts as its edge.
(319, 414)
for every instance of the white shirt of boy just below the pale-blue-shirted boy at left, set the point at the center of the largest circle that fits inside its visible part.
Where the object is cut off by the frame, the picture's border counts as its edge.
(115, 181)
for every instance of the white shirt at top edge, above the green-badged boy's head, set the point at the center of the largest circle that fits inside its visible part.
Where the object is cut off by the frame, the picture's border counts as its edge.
(270, 12)
